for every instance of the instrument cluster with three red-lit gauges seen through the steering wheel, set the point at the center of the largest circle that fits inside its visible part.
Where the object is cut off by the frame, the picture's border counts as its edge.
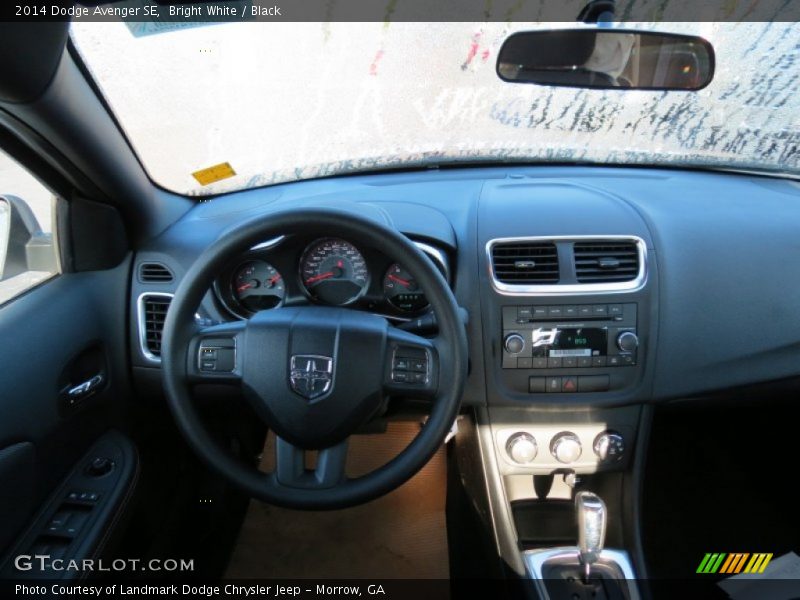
(327, 271)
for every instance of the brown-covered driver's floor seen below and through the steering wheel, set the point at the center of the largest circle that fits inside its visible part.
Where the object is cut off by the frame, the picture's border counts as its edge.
(398, 536)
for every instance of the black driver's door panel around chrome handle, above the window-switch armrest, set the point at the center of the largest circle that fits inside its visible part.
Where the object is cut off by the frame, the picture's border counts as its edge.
(54, 337)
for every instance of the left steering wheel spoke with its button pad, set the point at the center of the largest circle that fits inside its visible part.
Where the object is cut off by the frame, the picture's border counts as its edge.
(216, 354)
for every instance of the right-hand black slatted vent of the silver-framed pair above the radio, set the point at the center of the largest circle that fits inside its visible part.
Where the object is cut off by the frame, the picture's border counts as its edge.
(607, 261)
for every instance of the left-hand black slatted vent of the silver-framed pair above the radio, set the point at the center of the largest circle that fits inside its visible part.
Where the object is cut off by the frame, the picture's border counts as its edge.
(525, 263)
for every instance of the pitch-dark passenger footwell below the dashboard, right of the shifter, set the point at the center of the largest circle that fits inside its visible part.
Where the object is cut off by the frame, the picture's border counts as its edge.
(719, 478)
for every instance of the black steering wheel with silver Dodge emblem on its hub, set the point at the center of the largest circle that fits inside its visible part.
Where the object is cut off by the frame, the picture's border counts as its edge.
(315, 374)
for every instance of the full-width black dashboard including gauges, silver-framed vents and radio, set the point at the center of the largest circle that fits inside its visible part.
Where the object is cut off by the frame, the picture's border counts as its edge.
(582, 286)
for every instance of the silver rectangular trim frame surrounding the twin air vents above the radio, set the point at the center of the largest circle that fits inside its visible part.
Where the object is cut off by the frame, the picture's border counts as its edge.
(556, 289)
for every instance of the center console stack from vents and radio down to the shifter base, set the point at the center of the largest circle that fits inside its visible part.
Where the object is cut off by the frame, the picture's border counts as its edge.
(569, 313)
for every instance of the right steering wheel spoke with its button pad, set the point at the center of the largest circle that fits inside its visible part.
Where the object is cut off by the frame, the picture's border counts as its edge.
(412, 365)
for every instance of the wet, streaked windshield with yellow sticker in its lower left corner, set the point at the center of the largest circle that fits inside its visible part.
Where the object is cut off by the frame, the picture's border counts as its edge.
(265, 103)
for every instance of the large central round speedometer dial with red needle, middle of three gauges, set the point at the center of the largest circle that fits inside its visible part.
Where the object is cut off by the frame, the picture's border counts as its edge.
(333, 271)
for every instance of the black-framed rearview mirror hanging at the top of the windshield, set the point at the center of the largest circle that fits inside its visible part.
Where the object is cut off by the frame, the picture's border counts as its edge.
(613, 58)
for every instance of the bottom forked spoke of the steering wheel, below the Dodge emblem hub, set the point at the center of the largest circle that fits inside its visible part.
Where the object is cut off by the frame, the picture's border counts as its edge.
(291, 472)
